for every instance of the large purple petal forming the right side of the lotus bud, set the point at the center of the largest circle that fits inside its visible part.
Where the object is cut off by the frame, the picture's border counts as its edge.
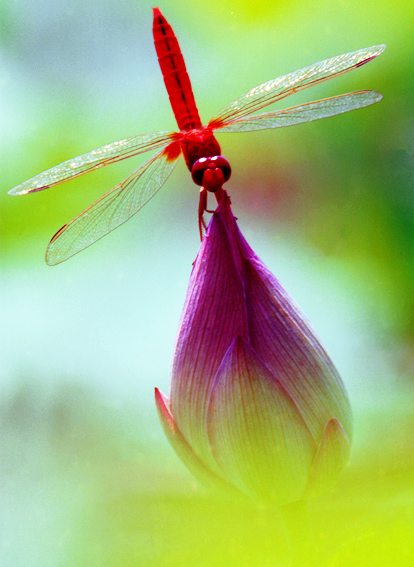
(283, 339)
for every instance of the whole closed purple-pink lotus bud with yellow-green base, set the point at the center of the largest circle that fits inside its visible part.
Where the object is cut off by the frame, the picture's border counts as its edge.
(256, 404)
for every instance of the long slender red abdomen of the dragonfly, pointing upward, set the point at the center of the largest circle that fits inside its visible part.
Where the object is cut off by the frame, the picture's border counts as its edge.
(175, 74)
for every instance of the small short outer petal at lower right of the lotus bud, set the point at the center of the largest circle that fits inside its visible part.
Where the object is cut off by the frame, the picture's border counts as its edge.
(331, 457)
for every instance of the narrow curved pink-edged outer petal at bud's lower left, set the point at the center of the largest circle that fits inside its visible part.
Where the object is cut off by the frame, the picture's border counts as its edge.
(183, 449)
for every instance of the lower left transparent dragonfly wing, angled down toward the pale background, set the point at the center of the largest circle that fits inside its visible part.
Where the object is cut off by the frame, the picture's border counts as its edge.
(111, 210)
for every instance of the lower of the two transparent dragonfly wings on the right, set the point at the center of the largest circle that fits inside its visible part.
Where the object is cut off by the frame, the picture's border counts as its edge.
(304, 112)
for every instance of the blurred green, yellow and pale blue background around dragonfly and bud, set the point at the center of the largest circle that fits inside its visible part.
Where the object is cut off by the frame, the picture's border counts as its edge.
(86, 476)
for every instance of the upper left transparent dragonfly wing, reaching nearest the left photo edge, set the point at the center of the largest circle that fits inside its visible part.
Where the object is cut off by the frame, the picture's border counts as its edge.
(105, 155)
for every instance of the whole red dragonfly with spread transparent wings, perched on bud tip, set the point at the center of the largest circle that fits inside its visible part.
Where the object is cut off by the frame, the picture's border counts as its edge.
(197, 143)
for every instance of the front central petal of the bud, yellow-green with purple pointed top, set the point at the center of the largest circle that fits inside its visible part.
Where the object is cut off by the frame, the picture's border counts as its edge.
(257, 435)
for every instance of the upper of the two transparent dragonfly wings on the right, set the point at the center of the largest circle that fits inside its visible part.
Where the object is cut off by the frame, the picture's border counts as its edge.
(279, 88)
